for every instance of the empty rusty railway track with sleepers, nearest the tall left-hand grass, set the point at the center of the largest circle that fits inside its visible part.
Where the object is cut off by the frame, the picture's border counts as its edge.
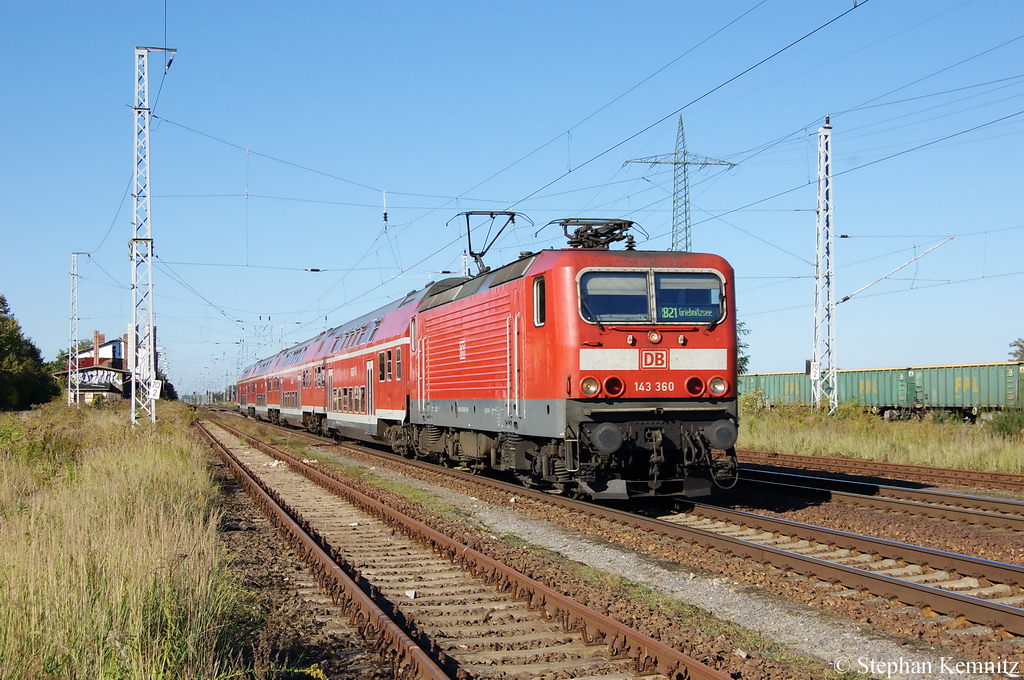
(438, 609)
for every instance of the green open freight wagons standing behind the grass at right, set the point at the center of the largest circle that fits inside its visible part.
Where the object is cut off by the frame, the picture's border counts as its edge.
(965, 391)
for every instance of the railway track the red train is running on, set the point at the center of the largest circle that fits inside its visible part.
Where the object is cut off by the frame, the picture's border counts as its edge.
(972, 596)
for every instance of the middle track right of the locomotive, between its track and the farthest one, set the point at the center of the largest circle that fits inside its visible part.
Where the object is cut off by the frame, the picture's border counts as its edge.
(992, 513)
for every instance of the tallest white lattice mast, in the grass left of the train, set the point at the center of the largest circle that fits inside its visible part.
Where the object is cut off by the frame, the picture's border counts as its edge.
(143, 359)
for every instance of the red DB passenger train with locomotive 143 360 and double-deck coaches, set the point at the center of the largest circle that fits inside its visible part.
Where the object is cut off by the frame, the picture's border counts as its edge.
(586, 371)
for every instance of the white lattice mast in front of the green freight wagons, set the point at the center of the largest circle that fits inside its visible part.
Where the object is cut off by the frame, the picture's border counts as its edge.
(824, 366)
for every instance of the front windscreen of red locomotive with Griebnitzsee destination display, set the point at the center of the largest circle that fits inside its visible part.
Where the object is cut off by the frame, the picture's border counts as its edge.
(646, 297)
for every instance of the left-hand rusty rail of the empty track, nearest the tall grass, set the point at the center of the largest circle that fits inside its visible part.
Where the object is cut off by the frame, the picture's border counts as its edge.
(410, 660)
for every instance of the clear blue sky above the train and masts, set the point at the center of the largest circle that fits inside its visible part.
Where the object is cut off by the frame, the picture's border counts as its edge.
(280, 126)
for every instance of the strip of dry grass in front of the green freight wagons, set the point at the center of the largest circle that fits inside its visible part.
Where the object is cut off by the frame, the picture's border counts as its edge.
(855, 434)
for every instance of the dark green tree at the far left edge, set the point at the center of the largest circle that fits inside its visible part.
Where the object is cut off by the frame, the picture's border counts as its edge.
(24, 379)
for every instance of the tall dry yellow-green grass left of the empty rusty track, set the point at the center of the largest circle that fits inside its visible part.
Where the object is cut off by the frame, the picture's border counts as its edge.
(110, 562)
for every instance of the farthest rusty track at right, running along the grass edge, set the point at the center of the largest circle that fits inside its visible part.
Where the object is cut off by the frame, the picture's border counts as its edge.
(863, 469)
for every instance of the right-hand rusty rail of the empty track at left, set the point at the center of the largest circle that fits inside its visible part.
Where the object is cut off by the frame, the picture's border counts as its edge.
(649, 655)
